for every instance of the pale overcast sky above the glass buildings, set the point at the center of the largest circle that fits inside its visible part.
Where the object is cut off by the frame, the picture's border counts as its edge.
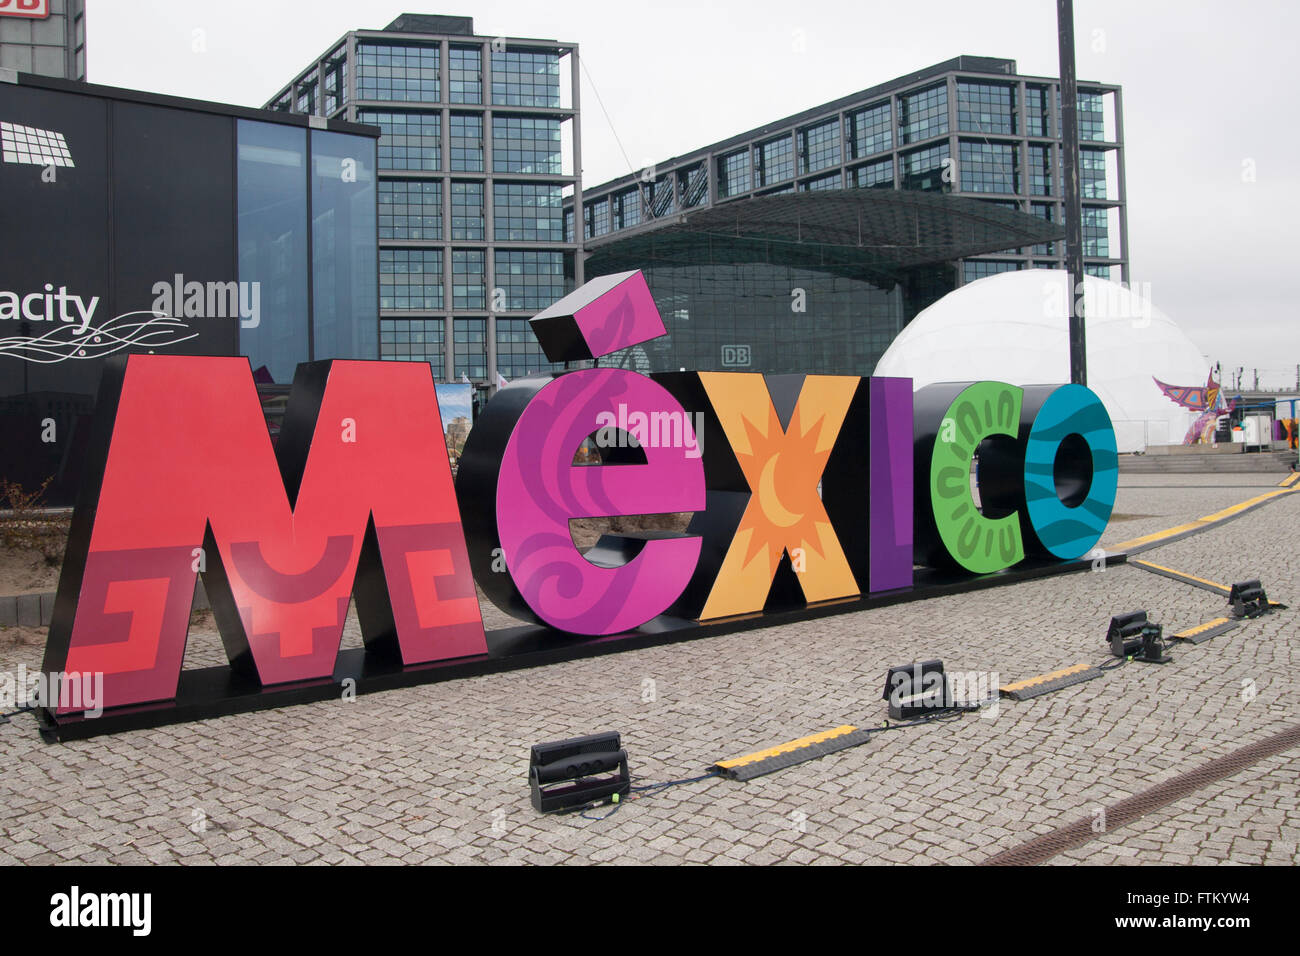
(1211, 116)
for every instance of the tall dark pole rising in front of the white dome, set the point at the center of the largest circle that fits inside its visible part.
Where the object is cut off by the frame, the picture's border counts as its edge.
(1073, 205)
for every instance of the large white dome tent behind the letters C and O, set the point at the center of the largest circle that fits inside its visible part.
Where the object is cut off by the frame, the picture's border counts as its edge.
(1013, 328)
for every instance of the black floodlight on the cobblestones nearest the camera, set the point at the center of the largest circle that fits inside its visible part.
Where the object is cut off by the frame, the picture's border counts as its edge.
(577, 773)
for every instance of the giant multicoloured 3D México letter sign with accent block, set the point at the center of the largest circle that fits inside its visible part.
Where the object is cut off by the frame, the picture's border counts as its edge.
(808, 494)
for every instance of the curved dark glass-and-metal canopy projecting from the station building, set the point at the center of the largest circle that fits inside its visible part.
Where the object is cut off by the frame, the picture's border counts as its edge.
(890, 230)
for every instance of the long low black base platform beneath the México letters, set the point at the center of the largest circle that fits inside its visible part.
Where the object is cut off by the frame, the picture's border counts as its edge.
(210, 693)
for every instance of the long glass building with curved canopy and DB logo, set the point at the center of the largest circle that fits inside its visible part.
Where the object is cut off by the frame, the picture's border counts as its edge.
(807, 245)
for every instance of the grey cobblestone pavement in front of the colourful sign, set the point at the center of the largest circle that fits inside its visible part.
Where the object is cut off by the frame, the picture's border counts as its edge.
(437, 773)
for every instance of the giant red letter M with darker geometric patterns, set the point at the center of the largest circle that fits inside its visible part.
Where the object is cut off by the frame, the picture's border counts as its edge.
(184, 478)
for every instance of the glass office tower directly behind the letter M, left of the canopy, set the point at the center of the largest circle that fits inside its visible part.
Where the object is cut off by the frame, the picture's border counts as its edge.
(480, 148)
